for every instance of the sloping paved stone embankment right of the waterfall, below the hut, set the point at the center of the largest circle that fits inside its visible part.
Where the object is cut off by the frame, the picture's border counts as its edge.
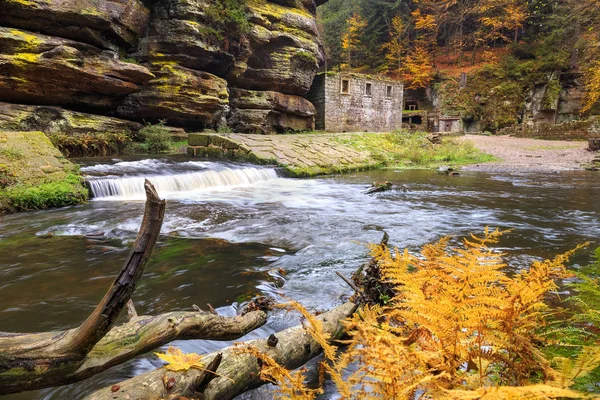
(299, 155)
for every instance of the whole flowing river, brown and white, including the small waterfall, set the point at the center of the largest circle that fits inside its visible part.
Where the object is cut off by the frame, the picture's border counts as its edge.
(232, 231)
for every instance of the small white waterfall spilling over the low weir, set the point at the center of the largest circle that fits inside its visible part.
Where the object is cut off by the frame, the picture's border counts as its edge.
(132, 188)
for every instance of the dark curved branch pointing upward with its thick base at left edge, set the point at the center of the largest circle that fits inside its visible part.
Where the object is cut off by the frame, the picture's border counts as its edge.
(34, 360)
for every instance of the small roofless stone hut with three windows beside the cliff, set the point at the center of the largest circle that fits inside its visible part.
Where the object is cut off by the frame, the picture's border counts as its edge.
(355, 103)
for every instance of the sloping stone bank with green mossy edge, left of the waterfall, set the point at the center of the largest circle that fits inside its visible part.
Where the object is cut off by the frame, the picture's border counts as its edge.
(35, 175)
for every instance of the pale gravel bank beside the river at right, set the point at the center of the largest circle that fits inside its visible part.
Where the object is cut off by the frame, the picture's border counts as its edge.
(521, 154)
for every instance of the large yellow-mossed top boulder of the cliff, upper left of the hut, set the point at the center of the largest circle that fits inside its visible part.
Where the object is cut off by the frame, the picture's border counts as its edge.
(283, 51)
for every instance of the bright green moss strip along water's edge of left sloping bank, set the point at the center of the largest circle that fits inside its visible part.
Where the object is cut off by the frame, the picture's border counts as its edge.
(23, 197)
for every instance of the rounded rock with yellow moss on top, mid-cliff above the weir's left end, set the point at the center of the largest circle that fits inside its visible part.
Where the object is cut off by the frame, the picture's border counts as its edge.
(179, 95)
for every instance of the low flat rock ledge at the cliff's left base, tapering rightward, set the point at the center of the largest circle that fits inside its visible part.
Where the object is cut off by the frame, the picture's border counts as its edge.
(19, 117)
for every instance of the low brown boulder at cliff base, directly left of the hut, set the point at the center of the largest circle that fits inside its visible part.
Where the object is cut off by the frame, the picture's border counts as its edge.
(269, 112)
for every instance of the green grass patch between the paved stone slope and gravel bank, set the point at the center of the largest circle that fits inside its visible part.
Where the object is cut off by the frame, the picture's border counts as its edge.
(413, 150)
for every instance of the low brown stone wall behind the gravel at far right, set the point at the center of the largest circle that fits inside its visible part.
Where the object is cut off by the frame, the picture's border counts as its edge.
(574, 130)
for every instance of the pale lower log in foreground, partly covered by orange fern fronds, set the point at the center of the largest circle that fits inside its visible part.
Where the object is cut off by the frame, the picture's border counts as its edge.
(237, 372)
